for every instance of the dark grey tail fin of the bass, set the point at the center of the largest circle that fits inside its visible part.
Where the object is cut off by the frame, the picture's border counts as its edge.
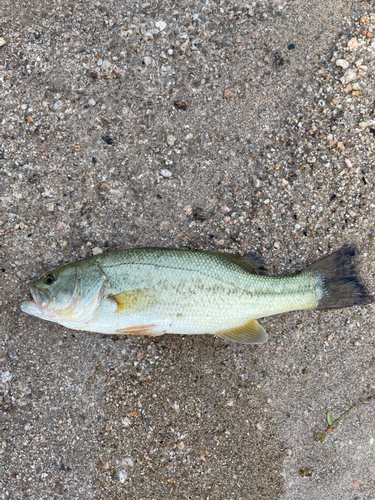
(341, 285)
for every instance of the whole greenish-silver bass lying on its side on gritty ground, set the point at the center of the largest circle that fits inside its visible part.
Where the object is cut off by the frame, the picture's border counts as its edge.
(153, 291)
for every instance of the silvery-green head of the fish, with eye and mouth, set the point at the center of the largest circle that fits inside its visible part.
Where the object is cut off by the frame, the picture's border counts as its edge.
(69, 295)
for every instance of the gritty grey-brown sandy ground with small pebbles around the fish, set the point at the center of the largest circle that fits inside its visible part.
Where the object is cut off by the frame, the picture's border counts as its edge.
(228, 126)
